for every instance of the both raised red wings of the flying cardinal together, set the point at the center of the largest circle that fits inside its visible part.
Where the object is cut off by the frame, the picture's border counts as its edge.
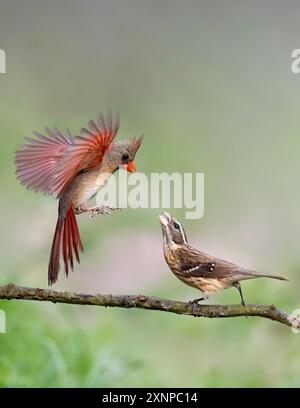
(50, 162)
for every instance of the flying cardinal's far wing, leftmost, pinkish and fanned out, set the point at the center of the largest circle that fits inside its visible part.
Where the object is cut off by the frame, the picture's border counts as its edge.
(36, 160)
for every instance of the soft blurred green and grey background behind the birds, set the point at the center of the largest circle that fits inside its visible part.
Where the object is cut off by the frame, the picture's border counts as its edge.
(210, 85)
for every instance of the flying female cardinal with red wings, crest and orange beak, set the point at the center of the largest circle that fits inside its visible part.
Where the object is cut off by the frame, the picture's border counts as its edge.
(73, 168)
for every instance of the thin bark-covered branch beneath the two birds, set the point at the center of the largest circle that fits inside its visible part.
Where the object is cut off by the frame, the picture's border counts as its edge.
(271, 312)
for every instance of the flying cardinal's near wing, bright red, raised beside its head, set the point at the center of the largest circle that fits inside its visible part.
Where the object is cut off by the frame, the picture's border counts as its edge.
(86, 151)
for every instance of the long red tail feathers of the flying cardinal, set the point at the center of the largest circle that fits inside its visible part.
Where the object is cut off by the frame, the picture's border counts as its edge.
(67, 239)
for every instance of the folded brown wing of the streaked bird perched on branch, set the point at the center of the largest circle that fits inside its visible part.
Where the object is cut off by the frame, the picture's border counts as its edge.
(198, 264)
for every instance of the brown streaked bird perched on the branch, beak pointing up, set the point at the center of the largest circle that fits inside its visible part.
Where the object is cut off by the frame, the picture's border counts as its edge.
(197, 269)
